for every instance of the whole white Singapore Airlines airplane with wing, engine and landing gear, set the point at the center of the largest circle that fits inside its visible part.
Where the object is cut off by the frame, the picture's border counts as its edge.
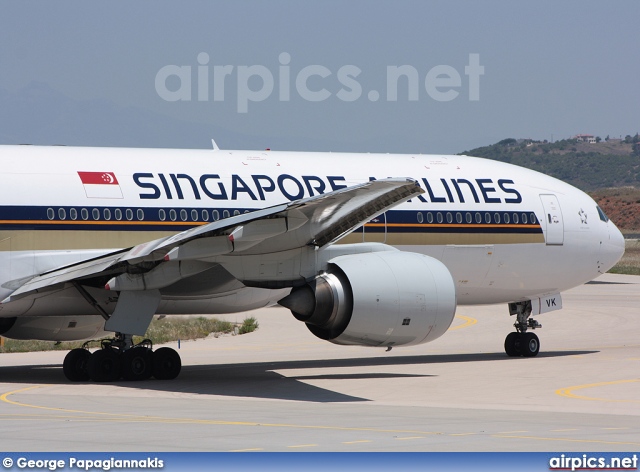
(365, 249)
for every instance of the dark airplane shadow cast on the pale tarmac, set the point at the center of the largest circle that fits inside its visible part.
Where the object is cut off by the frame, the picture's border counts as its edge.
(265, 380)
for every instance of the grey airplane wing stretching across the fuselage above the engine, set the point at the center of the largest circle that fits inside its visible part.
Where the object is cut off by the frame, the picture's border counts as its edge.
(316, 221)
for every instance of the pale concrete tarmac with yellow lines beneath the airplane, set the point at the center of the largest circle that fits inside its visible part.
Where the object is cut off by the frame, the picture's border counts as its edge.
(282, 389)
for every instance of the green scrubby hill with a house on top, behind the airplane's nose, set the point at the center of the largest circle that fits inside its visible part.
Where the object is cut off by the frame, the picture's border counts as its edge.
(590, 167)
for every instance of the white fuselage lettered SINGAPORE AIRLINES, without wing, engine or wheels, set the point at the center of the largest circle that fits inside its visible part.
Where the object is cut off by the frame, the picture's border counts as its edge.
(504, 232)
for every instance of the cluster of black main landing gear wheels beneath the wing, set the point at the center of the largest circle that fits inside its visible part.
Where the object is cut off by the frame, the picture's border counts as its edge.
(120, 358)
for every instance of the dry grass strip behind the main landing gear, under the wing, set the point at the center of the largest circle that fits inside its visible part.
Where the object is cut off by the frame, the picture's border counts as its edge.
(160, 331)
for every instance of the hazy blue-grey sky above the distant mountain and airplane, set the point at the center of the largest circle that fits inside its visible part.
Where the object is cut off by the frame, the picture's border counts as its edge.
(543, 67)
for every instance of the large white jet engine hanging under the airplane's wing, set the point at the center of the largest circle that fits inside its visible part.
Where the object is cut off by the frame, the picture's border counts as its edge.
(389, 298)
